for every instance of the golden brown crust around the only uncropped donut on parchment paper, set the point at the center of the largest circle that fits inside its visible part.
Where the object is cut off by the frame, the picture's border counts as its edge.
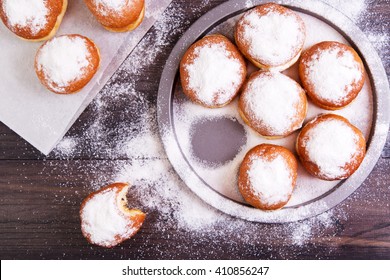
(77, 85)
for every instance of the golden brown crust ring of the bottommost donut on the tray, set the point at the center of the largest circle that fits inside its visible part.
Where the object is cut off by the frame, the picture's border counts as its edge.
(267, 152)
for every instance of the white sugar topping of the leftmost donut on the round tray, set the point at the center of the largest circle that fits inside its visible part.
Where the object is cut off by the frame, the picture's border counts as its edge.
(214, 75)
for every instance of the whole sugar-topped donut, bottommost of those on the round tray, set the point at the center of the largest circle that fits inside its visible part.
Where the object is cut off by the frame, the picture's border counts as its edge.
(267, 176)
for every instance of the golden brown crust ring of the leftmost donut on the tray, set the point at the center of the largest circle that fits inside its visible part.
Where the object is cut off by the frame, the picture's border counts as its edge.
(189, 57)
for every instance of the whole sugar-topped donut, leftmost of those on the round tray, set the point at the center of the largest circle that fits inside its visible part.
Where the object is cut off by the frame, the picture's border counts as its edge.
(212, 71)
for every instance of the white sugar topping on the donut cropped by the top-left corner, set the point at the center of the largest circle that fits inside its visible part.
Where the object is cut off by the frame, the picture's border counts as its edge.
(26, 13)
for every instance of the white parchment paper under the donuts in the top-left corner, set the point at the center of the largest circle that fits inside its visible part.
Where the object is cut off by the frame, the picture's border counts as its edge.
(39, 116)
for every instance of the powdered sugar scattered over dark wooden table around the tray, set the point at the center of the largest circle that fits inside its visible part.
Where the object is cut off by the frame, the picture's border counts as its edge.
(137, 156)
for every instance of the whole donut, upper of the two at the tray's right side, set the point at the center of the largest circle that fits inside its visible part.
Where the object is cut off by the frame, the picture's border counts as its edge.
(332, 74)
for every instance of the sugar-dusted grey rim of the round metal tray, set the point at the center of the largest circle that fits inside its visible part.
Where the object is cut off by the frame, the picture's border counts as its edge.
(375, 143)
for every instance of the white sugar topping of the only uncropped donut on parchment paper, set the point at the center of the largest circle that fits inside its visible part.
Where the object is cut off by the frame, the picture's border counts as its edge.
(63, 60)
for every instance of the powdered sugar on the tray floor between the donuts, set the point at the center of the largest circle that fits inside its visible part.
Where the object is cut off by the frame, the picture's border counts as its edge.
(222, 177)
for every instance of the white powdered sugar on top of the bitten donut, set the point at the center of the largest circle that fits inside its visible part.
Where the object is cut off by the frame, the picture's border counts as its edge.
(102, 219)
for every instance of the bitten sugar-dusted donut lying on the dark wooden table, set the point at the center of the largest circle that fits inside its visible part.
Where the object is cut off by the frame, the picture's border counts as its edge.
(105, 219)
